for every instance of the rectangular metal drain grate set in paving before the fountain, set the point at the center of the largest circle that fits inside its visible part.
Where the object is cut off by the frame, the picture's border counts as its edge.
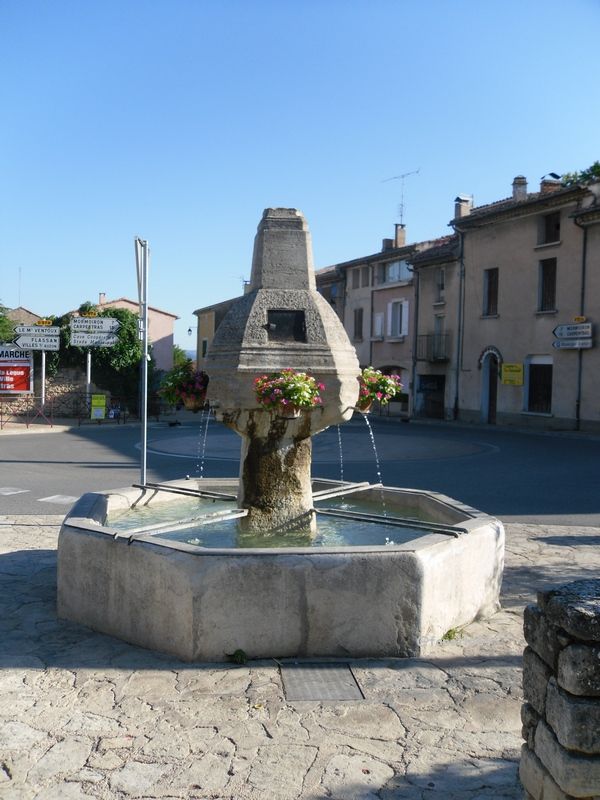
(320, 682)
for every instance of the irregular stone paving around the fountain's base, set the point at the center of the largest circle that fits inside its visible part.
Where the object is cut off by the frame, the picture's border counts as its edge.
(87, 716)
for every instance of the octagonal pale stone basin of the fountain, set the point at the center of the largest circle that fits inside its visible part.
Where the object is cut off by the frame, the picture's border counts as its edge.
(201, 603)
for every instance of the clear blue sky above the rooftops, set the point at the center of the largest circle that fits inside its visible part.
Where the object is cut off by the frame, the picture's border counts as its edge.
(181, 120)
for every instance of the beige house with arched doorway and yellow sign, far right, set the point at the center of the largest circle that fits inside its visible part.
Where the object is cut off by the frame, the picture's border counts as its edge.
(528, 266)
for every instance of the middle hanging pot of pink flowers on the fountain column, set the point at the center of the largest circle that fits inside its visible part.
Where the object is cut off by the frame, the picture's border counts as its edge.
(288, 392)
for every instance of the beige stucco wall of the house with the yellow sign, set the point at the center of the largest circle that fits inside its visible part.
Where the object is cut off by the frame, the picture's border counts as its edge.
(519, 331)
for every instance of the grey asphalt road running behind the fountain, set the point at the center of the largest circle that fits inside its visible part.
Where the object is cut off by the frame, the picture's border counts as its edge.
(537, 478)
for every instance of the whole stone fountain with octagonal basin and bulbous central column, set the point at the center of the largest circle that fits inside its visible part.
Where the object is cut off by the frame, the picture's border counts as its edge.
(204, 602)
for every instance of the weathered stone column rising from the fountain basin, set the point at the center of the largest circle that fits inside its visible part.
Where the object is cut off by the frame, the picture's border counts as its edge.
(281, 322)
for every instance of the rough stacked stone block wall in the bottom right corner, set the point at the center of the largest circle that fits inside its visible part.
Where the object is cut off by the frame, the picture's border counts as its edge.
(560, 759)
